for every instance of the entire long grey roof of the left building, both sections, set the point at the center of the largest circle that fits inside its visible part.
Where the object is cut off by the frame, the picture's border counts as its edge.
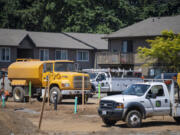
(13, 37)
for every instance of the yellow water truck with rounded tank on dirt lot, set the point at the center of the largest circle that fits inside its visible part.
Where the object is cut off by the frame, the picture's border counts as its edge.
(59, 75)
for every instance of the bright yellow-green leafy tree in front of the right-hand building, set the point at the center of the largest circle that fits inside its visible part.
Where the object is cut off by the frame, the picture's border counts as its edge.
(164, 50)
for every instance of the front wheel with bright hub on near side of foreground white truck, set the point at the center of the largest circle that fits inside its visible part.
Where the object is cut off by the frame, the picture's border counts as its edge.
(134, 119)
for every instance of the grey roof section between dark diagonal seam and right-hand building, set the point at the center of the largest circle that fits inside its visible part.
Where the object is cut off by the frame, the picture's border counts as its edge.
(93, 40)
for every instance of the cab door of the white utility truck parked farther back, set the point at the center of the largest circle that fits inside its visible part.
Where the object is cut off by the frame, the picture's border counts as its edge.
(102, 79)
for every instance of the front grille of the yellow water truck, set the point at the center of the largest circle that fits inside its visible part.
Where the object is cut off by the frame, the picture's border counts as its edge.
(78, 82)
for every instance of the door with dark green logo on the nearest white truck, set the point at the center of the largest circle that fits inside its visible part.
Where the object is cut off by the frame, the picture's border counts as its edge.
(159, 100)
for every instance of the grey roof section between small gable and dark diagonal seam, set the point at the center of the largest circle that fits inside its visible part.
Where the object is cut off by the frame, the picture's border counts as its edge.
(55, 40)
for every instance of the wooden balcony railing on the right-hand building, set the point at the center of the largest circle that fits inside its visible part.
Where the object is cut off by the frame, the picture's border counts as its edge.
(114, 58)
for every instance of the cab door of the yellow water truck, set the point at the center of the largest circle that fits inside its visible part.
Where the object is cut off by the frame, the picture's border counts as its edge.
(47, 70)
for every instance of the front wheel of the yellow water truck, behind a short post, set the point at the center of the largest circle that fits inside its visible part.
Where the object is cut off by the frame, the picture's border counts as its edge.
(56, 90)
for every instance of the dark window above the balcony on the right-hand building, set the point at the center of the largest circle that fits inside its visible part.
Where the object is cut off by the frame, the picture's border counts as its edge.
(127, 46)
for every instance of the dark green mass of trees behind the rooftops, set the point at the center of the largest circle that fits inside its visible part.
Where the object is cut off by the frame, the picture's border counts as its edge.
(92, 16)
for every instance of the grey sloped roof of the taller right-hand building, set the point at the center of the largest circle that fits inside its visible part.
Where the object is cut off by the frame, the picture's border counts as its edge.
(149, 27)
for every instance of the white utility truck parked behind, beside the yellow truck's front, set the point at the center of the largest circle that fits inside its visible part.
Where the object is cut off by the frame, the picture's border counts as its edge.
(113, 81)
